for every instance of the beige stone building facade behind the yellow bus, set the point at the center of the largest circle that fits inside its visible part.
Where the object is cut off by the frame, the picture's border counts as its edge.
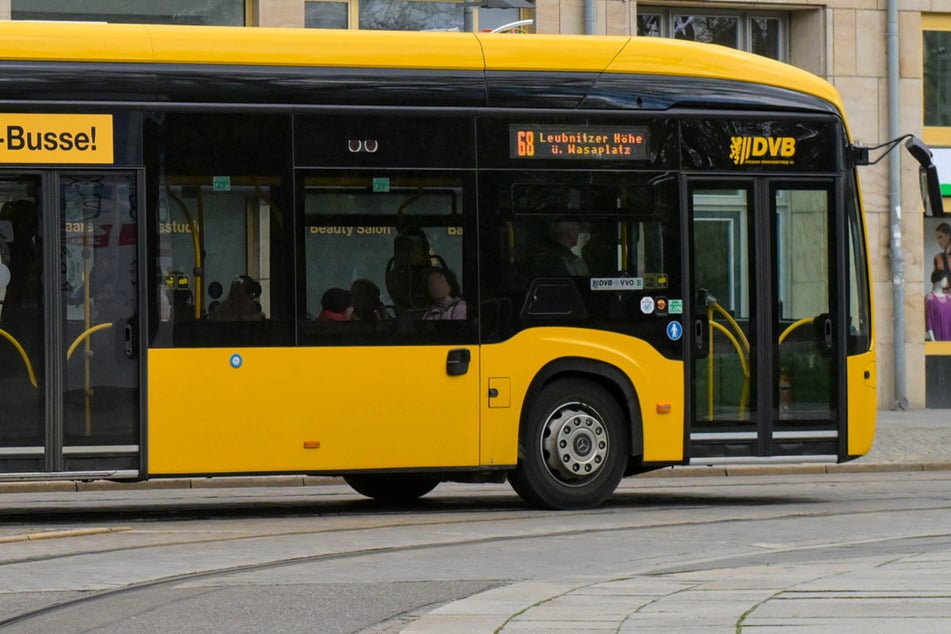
(844, 41)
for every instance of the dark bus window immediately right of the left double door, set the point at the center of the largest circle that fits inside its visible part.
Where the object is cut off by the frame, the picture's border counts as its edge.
(220, 264)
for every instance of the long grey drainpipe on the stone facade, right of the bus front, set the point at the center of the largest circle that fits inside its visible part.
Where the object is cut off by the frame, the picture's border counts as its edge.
(894, 205)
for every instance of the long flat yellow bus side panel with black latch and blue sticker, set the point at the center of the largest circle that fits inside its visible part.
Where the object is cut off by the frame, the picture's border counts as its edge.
(270, 410)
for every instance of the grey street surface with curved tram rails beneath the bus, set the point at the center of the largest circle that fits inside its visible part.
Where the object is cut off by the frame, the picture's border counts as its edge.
(814, 551)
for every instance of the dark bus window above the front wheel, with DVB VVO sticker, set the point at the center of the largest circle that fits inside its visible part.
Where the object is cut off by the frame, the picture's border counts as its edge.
(601, 251)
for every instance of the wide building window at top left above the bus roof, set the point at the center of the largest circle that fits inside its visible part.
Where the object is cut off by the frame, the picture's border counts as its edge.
(203, 12)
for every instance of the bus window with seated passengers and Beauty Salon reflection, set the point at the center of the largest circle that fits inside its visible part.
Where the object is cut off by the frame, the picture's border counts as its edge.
(378, 237)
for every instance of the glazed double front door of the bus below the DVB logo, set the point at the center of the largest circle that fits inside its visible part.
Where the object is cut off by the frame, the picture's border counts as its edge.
(765, 345)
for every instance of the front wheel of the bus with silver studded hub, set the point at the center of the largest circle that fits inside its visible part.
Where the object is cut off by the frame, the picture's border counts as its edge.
(572, 447)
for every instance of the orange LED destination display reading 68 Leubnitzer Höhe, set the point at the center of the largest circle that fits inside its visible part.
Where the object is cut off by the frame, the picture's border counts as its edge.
(613, 142)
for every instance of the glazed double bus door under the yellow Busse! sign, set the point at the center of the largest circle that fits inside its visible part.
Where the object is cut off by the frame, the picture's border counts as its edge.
(69, 378)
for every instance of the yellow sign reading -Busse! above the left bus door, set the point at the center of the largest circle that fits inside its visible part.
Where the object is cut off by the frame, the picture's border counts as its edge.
(56, 138)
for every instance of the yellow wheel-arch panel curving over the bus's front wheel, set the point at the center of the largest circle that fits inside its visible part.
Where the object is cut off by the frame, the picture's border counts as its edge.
(513, 364)
